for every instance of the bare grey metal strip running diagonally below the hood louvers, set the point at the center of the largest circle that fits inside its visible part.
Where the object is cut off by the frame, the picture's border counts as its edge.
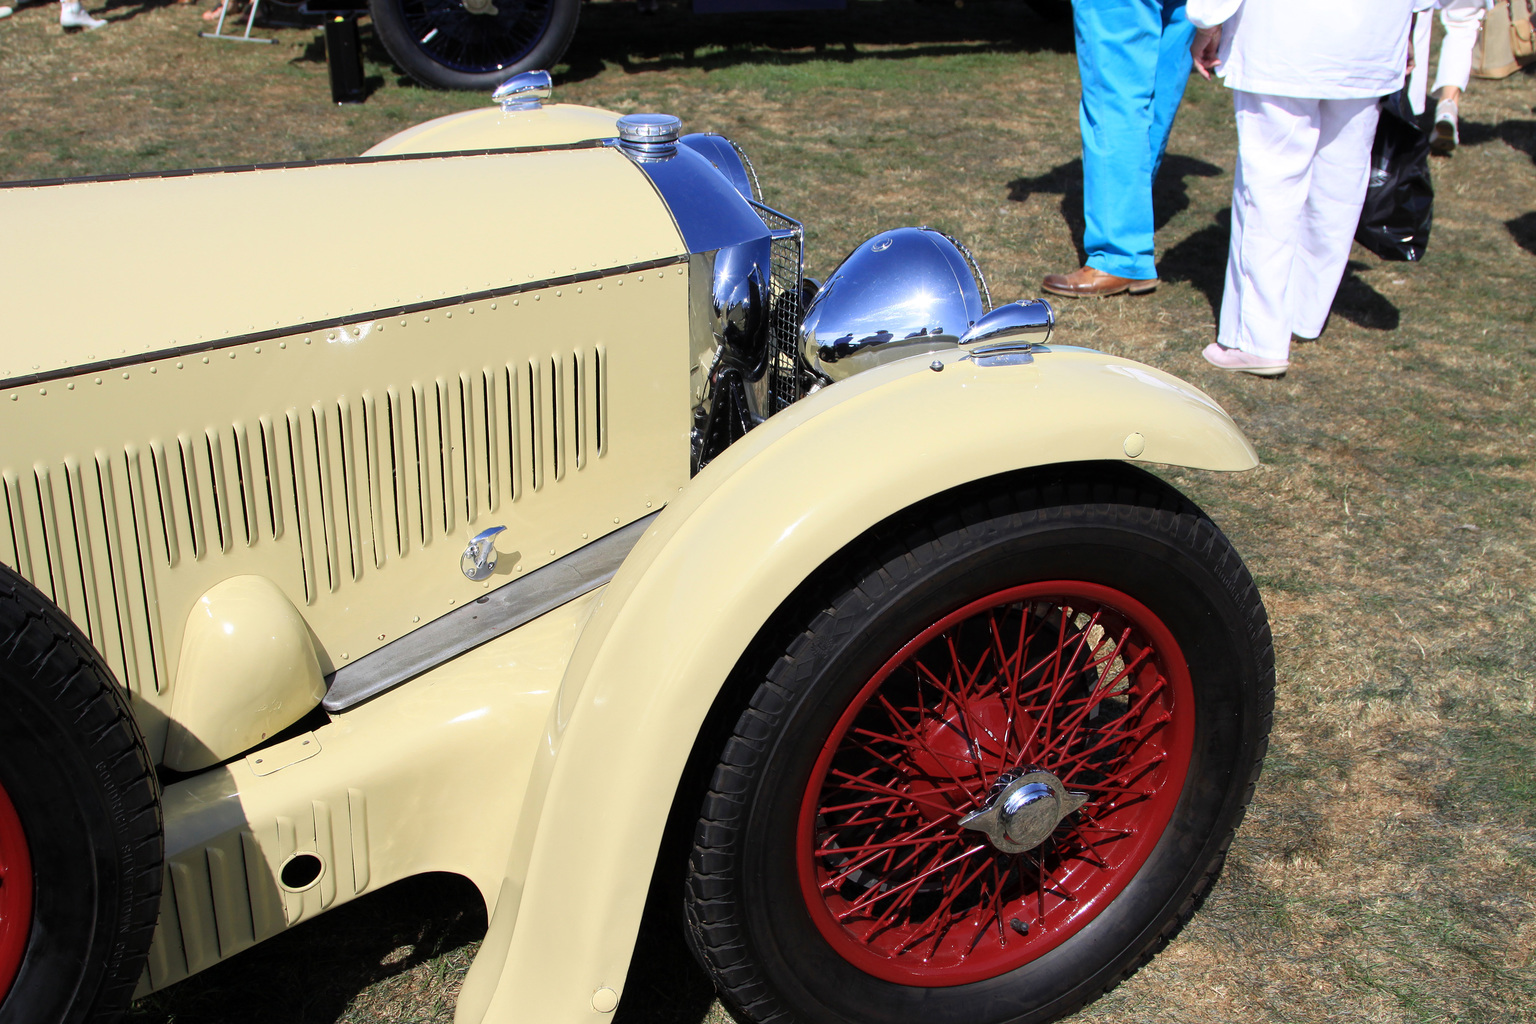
(489, 618)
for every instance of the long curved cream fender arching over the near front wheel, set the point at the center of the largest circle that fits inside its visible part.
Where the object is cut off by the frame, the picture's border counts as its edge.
(713, 569)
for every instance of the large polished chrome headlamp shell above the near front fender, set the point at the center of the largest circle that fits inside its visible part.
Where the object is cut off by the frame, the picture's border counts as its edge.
(899, 294)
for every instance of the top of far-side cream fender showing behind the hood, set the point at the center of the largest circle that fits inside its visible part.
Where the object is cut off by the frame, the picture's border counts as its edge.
(492, 128)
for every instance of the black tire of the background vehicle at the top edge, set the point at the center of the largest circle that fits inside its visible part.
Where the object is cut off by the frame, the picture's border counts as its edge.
(474, 51)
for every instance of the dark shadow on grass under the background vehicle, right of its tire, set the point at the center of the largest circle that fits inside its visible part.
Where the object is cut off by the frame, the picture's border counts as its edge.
(675, 38)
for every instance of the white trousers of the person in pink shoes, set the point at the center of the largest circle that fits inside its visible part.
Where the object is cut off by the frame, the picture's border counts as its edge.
(1303, 167)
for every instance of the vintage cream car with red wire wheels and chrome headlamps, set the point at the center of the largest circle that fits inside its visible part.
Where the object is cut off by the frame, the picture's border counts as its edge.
(568, 541)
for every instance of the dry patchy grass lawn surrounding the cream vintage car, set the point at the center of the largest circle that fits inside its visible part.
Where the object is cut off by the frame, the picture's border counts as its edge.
(1388, 870)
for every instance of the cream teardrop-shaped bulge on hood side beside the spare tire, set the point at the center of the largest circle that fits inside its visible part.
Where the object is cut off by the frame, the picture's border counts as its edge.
(248, 672)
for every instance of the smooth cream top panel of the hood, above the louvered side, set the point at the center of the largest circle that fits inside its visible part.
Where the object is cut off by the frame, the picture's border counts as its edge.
(283, 248)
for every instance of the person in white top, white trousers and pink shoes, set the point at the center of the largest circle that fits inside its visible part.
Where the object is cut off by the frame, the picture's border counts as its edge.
(1306, 111)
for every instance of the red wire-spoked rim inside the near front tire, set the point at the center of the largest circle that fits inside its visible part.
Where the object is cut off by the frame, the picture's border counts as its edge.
(1070, 678)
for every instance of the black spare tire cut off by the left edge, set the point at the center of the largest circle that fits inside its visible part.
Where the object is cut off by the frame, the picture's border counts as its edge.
(87, 804)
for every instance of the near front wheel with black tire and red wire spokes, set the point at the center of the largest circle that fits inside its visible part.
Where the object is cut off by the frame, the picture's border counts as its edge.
(752, 890)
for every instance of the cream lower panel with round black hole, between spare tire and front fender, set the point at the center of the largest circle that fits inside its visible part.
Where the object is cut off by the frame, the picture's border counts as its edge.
(428, 778)
